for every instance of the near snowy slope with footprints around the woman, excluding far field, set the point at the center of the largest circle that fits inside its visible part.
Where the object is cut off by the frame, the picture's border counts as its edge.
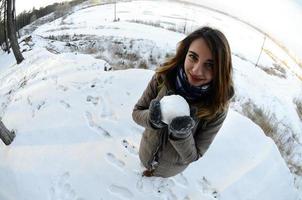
(76, 140)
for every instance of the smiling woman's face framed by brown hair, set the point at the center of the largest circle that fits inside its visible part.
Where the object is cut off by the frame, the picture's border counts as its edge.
(199, 63)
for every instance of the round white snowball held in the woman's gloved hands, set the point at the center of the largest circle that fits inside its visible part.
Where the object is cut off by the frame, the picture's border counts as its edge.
(173, 106)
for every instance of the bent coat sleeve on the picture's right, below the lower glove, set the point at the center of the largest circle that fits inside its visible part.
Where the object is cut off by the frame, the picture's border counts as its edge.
(193, 147)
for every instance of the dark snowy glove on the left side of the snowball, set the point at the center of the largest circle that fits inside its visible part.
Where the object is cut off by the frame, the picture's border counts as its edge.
(155, 114)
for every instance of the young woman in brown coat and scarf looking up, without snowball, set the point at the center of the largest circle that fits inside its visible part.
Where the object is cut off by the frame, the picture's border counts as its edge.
(201, 72)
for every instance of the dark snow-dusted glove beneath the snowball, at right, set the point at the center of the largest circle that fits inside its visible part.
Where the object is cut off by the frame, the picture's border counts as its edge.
(181, 127)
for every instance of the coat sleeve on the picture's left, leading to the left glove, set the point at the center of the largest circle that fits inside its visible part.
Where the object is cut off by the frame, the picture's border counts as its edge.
(140, 113)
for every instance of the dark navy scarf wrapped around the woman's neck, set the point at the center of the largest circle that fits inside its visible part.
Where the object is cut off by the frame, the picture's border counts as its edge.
(189, 92)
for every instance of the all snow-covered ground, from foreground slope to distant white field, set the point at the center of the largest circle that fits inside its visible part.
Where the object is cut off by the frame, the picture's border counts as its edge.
(75, 135)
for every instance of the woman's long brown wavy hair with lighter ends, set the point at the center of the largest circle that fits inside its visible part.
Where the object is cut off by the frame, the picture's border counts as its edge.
(222, 88)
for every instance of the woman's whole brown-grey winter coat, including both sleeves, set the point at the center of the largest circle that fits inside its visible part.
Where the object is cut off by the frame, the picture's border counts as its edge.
(175, 155)
